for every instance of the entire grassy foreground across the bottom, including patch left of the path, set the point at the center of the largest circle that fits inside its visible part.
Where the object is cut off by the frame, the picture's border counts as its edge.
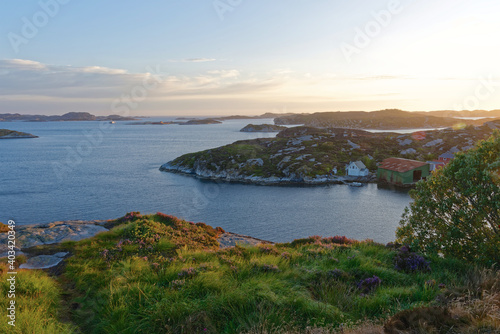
(160, 274)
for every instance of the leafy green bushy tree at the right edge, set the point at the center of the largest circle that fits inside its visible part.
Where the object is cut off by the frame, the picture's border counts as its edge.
(456, 212)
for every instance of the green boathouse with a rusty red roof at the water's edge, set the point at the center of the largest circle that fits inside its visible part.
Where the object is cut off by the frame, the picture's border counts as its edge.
(402, 171)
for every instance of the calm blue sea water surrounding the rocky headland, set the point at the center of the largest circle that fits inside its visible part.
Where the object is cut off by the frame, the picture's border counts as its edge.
(115, 172)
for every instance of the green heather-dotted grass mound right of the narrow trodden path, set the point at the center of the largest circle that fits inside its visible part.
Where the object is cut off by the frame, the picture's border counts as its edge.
(171, 279)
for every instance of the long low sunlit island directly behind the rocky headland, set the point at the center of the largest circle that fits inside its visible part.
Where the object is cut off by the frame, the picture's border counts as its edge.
(389, 119)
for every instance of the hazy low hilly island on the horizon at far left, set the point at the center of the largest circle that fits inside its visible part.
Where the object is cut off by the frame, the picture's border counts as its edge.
(68, 117)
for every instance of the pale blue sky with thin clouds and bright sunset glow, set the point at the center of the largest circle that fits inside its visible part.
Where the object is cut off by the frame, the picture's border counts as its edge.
(227, 57)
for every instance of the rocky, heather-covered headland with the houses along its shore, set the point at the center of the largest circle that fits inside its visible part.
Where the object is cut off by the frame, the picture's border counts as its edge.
(308, 155)
